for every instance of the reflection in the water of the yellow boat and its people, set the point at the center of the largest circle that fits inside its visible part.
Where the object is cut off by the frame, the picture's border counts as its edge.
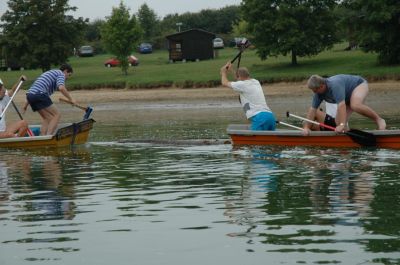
(43, 190)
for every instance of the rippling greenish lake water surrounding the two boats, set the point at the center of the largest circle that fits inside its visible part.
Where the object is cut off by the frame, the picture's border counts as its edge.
(125, 198)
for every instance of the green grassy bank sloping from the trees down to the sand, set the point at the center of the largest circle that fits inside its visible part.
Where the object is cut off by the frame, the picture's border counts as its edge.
(155, 70)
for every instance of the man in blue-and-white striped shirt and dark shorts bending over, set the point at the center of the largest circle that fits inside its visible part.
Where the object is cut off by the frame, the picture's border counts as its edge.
(38, 96)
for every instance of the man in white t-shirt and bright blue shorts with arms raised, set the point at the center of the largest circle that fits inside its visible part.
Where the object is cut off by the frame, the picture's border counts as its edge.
(251, 97)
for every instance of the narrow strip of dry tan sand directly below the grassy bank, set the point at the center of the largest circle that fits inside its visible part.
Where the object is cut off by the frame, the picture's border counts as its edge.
(109, 95)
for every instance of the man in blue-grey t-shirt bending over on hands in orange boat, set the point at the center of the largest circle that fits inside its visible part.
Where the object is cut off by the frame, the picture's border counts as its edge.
(348, 92)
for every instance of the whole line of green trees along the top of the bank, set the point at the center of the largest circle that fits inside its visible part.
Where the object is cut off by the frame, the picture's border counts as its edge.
(41, 33)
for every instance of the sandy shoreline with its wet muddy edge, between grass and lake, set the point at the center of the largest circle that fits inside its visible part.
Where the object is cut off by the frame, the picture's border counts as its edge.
(131, 105)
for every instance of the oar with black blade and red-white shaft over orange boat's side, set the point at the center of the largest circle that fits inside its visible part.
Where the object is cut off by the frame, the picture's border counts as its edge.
(361, 137)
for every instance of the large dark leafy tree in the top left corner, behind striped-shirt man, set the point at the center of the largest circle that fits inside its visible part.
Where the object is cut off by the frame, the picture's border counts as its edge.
(39, 32)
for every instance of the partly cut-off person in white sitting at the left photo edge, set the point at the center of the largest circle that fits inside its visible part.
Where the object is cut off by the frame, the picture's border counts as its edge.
(14, 129)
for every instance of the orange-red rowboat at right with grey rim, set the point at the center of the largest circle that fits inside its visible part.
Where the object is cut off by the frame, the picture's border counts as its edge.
(242, 135)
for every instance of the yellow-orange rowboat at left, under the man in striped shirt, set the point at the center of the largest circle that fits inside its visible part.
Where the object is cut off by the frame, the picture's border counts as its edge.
(66, 135)
